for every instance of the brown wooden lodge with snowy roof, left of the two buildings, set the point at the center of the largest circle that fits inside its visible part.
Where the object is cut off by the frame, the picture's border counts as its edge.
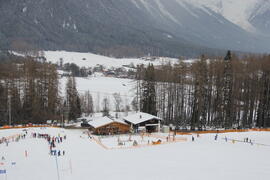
(108, 126)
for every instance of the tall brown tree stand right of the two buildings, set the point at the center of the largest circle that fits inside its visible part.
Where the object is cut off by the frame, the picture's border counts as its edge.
(230, 92)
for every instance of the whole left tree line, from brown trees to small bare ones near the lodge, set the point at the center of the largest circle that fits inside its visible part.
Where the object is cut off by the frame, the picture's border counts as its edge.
(30, 93)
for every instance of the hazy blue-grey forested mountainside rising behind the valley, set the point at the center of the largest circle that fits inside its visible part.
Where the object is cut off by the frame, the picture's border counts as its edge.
(126, 27)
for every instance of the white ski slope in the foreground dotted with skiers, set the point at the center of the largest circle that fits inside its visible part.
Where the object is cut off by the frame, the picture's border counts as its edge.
(204, 159)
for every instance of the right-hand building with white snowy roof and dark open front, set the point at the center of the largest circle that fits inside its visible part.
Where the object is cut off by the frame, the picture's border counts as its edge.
(140, 121)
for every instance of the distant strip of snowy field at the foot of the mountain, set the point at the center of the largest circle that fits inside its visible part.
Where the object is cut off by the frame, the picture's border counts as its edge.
(91, 60)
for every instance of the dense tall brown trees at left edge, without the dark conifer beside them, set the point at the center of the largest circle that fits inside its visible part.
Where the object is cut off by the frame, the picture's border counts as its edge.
(28, 91)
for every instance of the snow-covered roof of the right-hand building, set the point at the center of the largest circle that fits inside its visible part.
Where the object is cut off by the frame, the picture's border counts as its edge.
(140, 117)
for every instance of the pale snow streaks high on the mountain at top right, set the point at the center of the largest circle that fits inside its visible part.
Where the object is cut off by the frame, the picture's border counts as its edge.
(239, 12)
